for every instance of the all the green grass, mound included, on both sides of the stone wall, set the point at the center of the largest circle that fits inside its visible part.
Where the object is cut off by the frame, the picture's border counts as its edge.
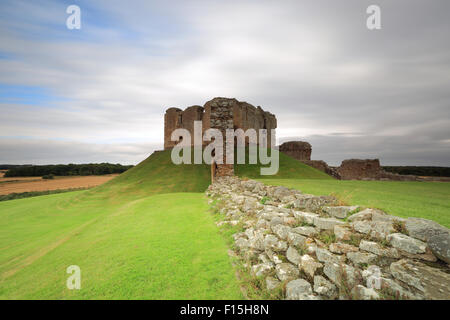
(147, 234)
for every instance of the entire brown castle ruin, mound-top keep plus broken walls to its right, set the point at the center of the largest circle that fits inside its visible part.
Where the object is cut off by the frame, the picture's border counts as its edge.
(225, 113)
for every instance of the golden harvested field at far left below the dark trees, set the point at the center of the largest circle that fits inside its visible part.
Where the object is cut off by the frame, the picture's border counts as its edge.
(28, 184)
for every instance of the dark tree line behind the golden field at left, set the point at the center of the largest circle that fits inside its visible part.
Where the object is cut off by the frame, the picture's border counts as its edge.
(66, 170)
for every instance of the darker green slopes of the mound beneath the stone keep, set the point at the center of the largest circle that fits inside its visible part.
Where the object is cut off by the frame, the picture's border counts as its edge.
(157, 174)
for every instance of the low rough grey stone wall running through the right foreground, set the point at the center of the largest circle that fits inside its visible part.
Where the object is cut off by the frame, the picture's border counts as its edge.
(311, 248)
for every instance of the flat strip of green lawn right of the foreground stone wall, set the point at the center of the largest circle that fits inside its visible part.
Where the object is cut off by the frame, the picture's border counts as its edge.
(429, 200)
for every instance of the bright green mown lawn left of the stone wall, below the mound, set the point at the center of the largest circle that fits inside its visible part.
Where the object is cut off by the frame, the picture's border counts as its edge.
(164, 246)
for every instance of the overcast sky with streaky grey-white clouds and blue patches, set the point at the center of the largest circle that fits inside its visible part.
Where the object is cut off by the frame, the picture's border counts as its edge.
(99, 94)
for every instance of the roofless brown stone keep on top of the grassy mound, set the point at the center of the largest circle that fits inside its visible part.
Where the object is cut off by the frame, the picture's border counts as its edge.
(245, 116)
